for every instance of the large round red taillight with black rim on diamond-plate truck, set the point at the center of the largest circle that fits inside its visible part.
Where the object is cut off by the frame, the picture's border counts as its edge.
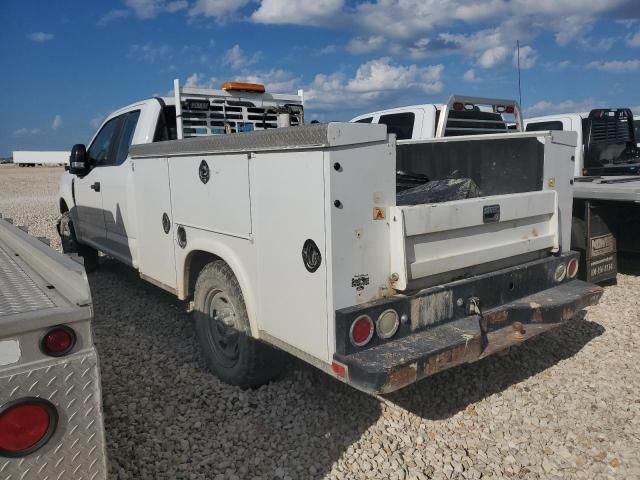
(25, 426)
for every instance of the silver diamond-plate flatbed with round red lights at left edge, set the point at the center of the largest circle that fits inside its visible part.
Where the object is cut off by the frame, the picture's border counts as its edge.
(50, 397)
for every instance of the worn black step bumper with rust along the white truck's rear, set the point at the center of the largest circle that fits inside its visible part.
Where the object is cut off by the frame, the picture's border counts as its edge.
(395, 364)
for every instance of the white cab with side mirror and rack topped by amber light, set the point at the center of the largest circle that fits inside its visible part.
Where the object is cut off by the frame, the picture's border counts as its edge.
(96, 196)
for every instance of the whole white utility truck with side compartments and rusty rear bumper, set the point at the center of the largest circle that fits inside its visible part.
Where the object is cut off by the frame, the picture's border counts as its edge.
(297, 238)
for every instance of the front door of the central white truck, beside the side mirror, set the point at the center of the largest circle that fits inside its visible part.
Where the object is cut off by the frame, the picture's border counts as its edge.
(90, 225)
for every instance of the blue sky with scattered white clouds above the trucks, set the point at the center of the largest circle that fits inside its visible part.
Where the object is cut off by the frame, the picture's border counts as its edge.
(69, 63)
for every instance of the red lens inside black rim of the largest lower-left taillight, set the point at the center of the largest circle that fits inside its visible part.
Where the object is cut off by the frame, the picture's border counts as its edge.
(23, 426)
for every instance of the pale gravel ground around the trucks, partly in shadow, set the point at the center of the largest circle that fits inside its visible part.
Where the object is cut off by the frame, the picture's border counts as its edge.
(565, 405)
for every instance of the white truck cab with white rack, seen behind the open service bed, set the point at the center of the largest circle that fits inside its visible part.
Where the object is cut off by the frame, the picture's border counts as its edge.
(461, 115)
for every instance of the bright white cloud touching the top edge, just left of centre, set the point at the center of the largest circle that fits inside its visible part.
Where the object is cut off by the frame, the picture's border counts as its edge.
(299, 12)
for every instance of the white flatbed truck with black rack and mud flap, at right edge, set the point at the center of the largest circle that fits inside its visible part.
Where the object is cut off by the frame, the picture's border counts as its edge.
(606, 206)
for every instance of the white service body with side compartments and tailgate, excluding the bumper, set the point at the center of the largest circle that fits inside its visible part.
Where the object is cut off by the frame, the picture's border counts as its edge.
(262, 202)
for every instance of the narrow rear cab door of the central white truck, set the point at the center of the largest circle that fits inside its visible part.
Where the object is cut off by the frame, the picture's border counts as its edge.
(117, 174)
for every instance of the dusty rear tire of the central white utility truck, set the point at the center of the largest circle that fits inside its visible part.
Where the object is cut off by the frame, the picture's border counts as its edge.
(222, 325)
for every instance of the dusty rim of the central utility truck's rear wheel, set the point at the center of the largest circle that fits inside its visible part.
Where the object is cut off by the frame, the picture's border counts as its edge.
(222, 328)
